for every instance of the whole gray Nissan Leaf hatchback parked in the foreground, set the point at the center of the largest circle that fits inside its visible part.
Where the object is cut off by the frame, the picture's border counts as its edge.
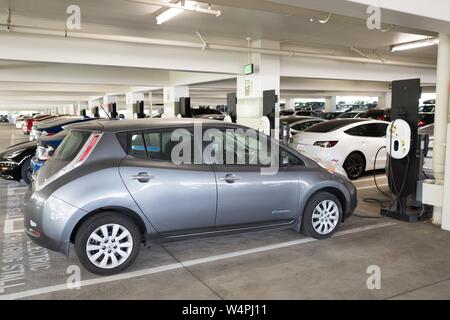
(112, 186)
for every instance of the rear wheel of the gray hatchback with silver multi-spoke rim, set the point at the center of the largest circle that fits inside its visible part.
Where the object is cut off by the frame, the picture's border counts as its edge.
(94, 259)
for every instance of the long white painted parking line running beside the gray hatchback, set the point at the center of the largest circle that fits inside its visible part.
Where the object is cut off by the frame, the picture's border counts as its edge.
(183, 264)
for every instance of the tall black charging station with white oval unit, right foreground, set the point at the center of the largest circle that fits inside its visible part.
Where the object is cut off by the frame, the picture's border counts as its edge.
(405, 152)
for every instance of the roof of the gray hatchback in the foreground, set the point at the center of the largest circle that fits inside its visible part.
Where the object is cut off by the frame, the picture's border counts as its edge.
(146, 124)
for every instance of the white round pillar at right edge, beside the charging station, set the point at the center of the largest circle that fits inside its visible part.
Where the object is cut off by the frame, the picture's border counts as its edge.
(440, 127)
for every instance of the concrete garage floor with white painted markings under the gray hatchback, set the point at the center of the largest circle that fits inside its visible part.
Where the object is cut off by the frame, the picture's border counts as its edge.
(413, 259)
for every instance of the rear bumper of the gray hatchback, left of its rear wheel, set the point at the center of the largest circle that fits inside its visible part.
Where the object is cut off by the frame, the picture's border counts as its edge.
(48, 221)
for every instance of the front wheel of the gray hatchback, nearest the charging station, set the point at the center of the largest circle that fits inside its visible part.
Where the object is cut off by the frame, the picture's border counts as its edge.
(311, 226)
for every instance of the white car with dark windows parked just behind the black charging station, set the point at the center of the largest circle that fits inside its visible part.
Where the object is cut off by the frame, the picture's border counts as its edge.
(348, 143)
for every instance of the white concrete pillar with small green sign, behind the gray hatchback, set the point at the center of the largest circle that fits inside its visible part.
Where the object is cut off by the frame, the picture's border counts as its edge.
(250, 88)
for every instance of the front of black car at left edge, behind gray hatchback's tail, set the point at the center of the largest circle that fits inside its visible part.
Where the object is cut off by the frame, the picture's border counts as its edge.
(15, 161)
